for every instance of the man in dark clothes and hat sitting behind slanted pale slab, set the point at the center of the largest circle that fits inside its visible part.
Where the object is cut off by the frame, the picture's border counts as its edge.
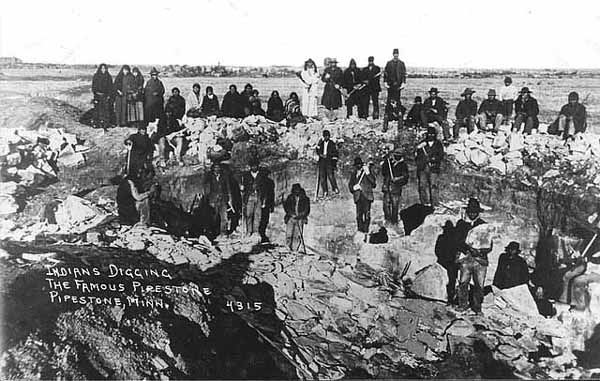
(512, 270)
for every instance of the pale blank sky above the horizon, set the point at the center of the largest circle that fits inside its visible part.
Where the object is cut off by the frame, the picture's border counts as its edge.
(430, 33)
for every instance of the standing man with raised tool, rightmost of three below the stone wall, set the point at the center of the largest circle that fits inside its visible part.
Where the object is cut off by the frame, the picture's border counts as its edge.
(429, 156)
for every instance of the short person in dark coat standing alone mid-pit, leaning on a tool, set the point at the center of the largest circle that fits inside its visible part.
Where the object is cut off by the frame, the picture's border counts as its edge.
(297, 209)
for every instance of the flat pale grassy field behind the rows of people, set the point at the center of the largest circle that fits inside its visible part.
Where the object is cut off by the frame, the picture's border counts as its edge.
(73, 86)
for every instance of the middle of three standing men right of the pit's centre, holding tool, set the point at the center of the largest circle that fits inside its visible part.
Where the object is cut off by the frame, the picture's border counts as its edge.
(395, 175)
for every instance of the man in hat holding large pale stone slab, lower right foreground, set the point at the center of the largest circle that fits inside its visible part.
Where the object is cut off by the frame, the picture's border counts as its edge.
(472, 262)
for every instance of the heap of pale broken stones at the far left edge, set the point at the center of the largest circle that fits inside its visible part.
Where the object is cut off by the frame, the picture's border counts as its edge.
(30, 158)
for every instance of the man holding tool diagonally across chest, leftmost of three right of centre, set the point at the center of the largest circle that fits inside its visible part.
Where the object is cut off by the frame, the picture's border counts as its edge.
(361, 184)
